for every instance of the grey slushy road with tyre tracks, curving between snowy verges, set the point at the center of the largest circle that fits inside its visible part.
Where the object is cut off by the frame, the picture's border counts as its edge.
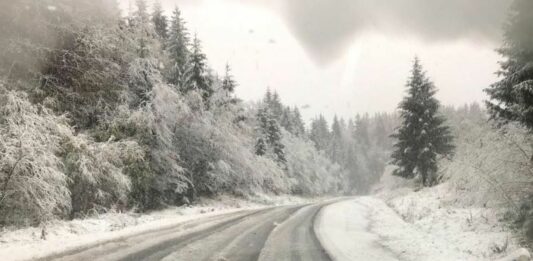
(278, 233)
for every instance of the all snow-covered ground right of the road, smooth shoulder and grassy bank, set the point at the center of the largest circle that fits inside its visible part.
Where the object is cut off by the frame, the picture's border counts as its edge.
(402, 222)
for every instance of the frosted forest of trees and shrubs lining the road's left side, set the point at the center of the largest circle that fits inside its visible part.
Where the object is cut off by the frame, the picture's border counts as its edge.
(103, 112)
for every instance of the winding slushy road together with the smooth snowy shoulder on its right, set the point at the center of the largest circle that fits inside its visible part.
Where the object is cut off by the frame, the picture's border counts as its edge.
(331, 230)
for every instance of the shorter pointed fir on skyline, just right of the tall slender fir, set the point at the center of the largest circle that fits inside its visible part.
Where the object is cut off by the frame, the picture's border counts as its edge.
(199, 78)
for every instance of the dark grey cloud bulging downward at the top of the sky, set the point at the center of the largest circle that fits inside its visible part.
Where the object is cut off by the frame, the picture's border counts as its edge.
(325, 27)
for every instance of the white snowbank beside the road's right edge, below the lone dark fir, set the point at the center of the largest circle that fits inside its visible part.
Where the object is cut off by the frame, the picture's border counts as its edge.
(366, 228)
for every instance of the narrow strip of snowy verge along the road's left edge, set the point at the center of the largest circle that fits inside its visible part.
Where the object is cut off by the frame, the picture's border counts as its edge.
(61, 236)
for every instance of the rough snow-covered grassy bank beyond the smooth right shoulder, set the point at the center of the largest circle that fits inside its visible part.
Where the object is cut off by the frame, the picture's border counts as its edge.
(469, 233)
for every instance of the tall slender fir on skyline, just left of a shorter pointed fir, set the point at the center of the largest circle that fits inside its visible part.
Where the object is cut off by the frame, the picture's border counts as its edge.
(178, 50)
